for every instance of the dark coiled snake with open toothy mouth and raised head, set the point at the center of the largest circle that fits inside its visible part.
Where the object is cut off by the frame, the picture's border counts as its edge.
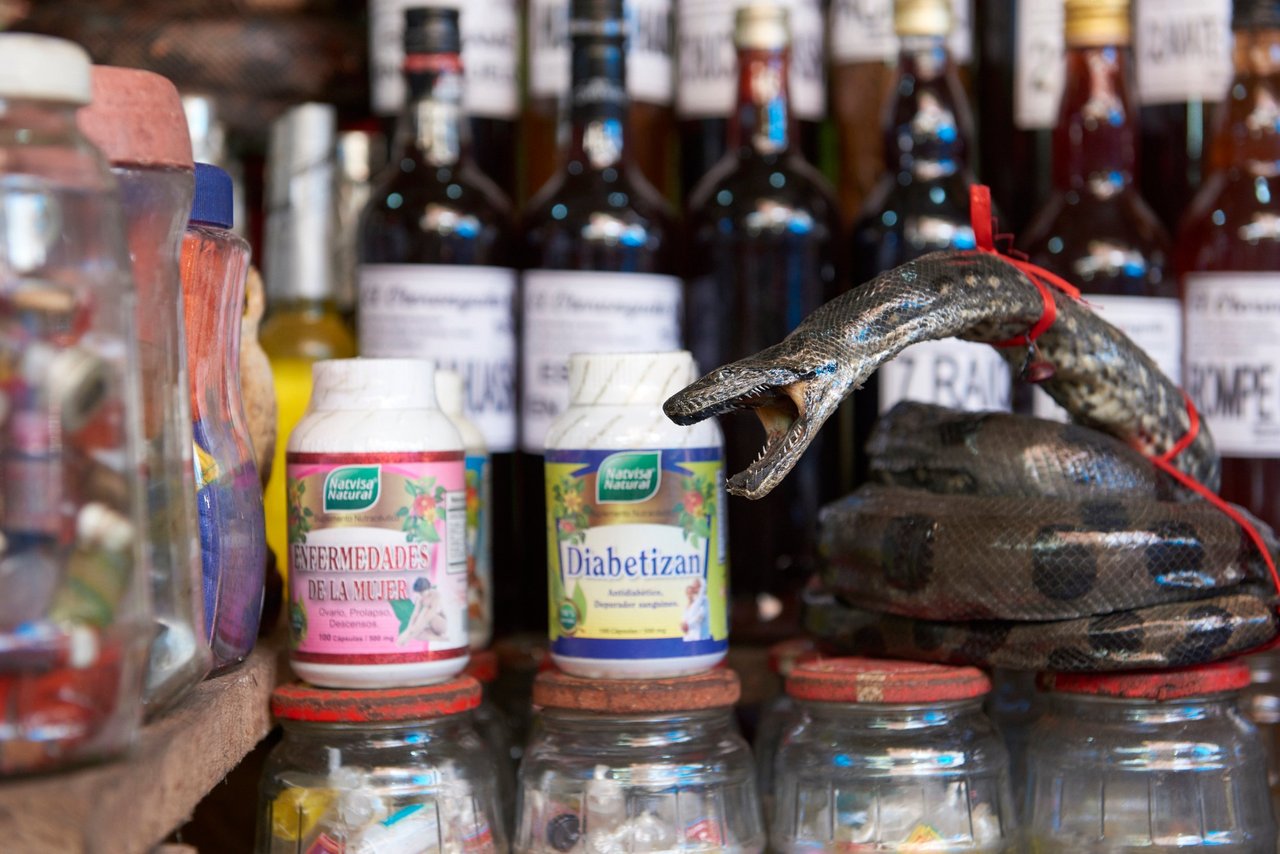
(999, 540)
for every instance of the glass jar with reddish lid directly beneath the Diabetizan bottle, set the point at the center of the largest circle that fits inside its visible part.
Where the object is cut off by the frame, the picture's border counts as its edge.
(629, 766)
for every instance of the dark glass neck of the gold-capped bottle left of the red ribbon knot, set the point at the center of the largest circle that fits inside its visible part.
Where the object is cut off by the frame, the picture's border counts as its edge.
(929, 130)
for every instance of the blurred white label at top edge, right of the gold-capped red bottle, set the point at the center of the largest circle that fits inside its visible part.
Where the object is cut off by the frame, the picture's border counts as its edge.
(1183, 51)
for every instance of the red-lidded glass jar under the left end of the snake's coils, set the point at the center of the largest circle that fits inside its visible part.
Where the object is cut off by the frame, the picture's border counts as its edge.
(892, 757)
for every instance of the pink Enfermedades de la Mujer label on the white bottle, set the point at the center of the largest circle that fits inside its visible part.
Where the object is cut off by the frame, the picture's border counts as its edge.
(378, 568)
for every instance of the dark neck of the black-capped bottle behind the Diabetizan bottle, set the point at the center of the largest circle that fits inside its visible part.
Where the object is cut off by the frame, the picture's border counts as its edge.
(598, 103)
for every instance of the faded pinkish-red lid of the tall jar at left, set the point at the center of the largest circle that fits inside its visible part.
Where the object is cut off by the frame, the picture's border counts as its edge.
(136, 120)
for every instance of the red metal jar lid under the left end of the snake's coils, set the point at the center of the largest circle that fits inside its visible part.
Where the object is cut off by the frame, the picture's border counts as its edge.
(871, 681)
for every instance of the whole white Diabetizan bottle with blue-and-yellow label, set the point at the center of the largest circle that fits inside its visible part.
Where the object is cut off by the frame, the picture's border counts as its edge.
(636, 522)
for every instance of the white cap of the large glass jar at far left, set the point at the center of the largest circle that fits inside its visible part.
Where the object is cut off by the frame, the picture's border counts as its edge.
(43, 68)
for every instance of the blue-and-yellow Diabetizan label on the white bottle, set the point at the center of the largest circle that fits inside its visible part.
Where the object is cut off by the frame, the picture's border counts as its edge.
(637, 554)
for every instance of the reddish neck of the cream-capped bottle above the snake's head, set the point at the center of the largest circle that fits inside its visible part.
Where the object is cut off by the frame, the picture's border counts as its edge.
(762, 121)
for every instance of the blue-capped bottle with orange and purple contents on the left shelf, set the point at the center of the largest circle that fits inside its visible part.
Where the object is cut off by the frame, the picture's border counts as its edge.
(228, 494)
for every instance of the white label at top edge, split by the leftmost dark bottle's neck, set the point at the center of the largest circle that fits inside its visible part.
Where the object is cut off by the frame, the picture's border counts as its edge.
(490, 49)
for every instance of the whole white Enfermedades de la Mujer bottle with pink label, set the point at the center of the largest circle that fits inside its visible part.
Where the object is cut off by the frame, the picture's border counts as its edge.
(377, 505)
